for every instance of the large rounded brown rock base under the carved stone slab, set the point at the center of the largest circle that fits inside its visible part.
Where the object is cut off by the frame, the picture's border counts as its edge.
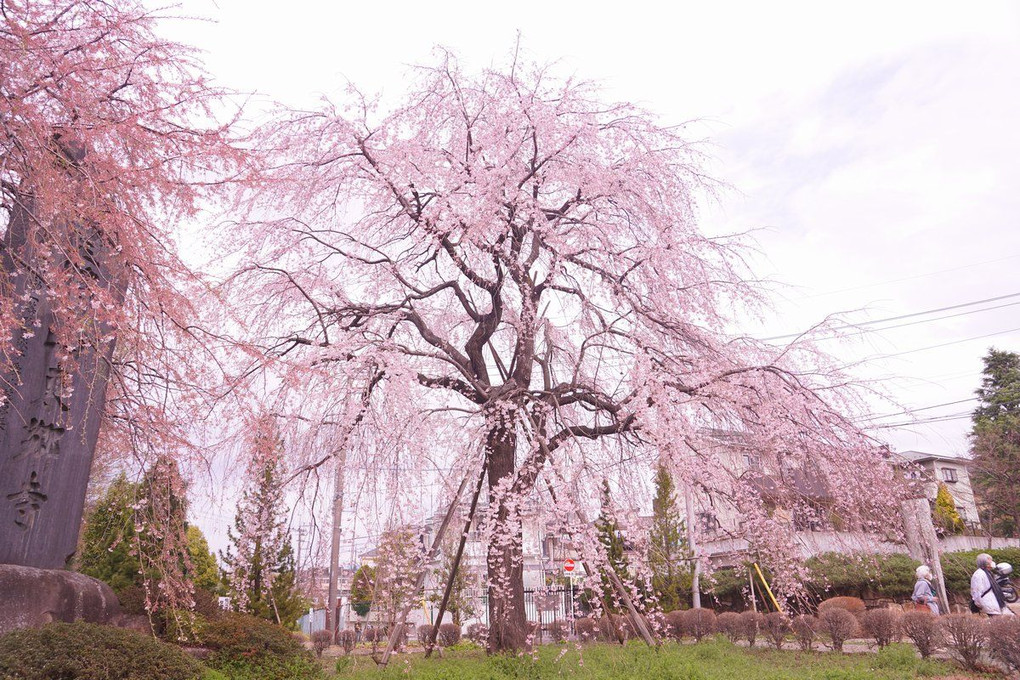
(31, 598)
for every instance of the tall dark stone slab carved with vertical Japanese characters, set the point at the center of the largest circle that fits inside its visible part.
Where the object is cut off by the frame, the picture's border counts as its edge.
(53, 409)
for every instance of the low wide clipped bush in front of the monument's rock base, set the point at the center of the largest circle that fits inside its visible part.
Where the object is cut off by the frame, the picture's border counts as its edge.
(89, 652)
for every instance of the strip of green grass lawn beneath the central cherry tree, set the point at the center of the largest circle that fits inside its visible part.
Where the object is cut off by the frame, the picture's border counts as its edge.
(709, 660)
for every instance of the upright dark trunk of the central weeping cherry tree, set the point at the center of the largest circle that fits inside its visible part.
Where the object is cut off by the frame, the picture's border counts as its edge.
(507, 621)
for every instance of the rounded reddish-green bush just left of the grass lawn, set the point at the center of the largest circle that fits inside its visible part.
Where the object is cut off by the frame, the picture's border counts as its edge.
(246, 647)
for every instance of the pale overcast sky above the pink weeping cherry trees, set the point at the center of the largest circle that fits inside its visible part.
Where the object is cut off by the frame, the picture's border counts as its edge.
(876, 144)
